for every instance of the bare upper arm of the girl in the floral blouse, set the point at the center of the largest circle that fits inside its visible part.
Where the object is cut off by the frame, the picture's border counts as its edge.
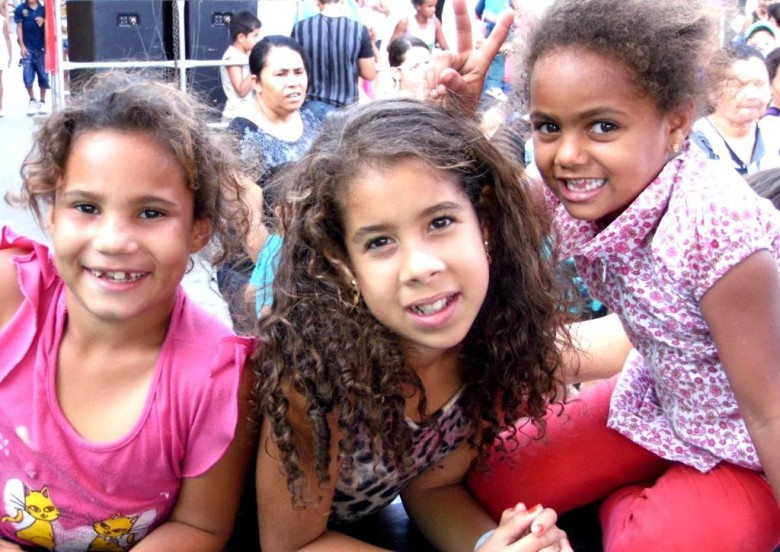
(742, 310)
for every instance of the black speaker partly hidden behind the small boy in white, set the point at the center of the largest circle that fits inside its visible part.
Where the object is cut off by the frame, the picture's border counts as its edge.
(208, 36)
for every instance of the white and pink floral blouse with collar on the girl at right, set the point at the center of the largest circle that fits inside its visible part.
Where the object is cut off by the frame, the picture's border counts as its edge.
(652, 266)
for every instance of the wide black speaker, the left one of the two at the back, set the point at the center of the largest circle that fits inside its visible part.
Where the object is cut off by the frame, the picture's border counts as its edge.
(116, 30)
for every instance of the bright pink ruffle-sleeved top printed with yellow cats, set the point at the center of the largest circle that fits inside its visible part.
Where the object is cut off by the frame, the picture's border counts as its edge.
(187, 423)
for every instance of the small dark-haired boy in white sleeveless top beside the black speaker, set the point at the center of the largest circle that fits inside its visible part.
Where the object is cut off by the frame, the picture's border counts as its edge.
(237, 81)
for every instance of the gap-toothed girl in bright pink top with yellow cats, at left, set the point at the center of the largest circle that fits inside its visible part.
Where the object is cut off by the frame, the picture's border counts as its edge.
(122, 403)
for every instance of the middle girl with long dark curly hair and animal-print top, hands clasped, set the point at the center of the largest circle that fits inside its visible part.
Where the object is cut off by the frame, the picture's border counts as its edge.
(414, 318)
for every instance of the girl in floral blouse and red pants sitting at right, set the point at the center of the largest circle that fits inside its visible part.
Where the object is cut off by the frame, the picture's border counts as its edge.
(682, 444)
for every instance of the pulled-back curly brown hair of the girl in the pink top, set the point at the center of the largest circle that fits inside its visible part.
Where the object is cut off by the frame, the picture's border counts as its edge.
(131, 102)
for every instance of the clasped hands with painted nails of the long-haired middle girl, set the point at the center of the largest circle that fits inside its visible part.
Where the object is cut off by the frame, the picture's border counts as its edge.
(523, 530)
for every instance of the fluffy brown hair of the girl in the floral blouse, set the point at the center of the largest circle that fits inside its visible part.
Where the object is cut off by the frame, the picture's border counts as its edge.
(663, 45)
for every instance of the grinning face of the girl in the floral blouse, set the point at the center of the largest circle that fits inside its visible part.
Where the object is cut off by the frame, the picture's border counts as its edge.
(598, 143)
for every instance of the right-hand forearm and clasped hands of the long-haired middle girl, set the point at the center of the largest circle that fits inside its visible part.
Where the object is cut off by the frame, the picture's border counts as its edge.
(452, 520)
